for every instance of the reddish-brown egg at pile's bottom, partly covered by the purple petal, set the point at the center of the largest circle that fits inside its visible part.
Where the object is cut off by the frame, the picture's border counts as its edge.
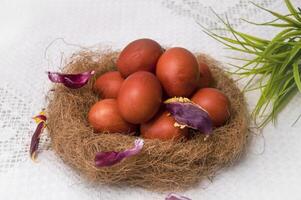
(162, 127)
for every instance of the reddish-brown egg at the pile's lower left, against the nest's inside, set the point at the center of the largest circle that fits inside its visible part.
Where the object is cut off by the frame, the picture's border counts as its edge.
(104, 116)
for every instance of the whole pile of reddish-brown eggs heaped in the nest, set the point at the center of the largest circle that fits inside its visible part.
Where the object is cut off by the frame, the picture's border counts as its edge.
(132, 97)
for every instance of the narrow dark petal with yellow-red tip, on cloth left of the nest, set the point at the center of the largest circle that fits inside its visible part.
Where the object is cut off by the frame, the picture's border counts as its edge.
(35, 139)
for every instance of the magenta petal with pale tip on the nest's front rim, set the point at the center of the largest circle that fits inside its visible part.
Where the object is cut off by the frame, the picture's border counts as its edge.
(105, 159)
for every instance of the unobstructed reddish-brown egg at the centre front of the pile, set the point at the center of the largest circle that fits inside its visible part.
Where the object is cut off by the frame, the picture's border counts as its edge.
(139, 97)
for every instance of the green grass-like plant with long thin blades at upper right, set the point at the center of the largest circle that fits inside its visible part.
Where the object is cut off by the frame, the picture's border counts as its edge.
(274, 68)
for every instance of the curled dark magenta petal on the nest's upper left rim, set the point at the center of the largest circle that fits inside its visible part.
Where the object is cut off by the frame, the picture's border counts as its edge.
(73, 81)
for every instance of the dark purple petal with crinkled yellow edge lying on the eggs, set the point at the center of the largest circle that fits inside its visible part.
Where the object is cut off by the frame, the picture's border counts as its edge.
(189, 114)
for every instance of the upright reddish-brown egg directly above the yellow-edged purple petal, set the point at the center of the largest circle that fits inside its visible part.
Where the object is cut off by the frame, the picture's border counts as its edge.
(178, 72)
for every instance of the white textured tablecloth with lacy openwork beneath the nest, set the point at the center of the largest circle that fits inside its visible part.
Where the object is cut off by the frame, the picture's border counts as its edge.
(269, 170)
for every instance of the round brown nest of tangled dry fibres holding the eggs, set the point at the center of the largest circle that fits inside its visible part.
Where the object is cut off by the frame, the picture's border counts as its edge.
(160, 166)
